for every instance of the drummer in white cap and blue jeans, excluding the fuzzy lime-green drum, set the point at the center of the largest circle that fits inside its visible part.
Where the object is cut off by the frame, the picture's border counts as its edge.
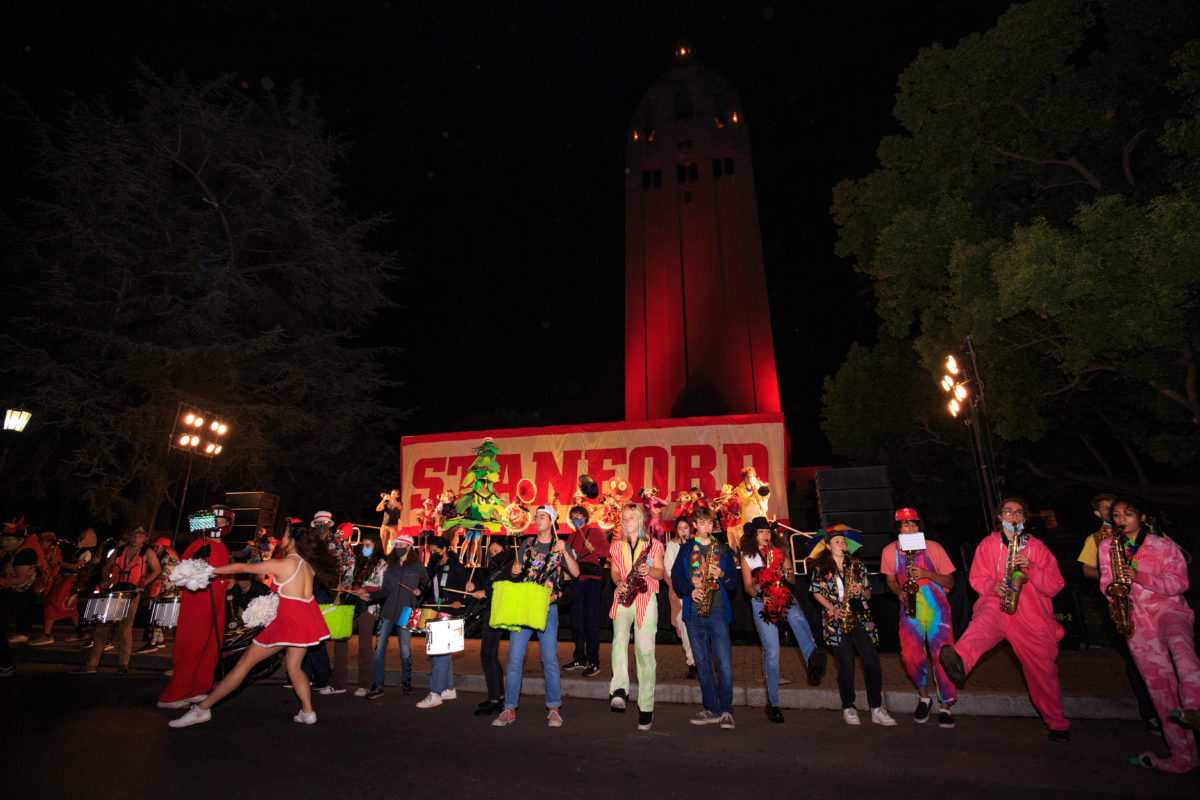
(542, 560)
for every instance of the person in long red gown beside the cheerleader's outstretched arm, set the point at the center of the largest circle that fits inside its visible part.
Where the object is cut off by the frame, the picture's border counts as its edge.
(201, 630)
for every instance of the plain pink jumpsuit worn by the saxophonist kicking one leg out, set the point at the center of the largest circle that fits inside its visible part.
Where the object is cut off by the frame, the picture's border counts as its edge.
(1033, 631)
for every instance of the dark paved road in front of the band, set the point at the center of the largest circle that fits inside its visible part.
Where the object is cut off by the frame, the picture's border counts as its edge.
(100, 736)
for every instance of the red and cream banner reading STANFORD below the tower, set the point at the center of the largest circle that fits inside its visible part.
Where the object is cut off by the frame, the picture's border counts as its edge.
(670, 455)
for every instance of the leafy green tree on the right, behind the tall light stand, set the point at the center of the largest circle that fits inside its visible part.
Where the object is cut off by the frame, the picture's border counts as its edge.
(1042, 197)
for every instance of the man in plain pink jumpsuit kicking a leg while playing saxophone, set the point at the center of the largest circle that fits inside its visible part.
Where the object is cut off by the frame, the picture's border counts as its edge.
(1031, 630)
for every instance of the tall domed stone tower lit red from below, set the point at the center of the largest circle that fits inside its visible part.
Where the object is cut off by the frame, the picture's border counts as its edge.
(698, 329)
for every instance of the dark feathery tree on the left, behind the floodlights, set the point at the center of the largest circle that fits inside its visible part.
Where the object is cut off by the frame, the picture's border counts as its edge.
(191, 248)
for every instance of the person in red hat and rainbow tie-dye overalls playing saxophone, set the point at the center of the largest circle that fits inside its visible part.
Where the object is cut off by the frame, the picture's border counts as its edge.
(929, 627)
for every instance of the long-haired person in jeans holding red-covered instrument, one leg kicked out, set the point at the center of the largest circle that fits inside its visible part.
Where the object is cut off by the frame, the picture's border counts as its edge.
(767, 579)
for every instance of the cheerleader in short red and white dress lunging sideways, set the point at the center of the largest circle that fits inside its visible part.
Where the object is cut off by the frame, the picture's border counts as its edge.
(301, 558)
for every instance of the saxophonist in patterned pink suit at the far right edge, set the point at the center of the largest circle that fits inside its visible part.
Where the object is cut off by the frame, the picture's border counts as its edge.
(1162, 643)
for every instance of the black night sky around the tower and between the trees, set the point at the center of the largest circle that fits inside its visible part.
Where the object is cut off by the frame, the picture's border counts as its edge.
(494, 135)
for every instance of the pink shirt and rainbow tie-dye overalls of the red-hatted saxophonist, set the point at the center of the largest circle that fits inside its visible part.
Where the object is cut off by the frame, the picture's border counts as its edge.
(932, 627)
